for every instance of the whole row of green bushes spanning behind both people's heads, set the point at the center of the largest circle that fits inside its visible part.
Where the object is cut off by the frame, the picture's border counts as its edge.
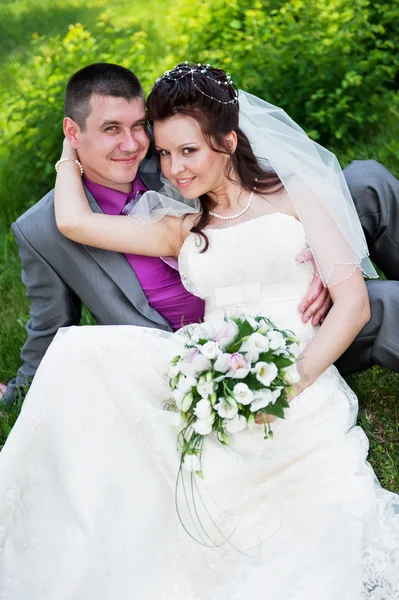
(331, 63)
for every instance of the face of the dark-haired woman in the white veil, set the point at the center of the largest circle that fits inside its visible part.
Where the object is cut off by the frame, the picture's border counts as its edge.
(186, 158)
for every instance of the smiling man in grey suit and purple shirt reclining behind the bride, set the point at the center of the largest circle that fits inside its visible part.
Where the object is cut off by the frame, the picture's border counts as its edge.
(105, 122)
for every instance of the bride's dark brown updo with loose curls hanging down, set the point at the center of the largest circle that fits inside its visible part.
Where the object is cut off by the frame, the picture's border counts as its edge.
(209, 96)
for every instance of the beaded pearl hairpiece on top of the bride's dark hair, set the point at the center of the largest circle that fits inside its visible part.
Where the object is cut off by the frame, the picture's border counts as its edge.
(192, 70)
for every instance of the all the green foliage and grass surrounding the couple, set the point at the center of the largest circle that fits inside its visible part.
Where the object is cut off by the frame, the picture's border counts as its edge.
(332, 64)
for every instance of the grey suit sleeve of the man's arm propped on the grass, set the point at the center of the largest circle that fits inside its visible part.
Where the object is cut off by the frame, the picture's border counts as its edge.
(53, 305)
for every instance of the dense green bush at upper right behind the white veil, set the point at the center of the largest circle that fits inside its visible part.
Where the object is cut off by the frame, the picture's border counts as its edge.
(330, 63)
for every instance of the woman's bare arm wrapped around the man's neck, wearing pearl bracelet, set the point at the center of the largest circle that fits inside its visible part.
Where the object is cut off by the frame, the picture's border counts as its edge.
(76, 220)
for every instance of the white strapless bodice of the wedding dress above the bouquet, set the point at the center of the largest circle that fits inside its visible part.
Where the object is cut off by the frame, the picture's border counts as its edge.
(251, 265)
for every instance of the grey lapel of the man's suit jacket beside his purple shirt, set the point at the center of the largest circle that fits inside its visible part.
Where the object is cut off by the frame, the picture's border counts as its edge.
(117, 267)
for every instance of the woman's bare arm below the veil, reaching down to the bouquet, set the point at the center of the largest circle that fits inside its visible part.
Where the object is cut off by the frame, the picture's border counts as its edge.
(349, 314)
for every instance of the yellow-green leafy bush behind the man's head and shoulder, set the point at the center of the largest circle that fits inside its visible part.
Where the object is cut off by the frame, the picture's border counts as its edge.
(31, 122)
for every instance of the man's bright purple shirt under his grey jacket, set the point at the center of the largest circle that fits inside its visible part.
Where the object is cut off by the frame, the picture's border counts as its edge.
(161, 282)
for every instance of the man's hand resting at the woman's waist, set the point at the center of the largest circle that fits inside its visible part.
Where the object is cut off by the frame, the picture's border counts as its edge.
(317, 301)
